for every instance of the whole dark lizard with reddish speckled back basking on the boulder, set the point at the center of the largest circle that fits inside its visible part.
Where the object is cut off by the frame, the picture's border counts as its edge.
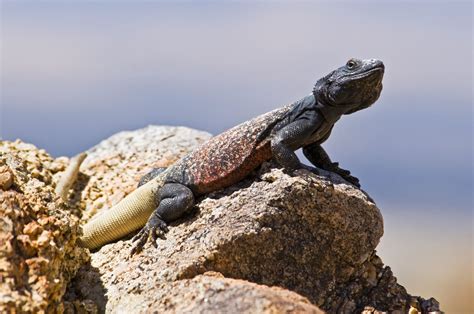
(227, 158)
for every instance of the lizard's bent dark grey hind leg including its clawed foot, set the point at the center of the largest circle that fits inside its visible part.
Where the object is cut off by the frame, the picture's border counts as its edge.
(174, 200)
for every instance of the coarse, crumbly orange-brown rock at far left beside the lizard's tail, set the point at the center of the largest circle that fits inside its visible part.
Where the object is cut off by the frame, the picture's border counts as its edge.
(38, 254)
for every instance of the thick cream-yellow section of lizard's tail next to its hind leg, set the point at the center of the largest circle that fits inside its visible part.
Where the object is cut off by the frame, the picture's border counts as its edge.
(128, 215)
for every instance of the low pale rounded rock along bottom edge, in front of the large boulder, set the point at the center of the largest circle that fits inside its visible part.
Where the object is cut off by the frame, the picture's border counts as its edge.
(212, 293)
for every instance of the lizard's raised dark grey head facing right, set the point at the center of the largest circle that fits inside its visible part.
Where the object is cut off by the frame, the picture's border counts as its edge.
(352, 87)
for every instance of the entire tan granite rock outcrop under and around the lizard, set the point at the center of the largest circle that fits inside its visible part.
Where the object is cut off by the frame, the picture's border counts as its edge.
(273, 243)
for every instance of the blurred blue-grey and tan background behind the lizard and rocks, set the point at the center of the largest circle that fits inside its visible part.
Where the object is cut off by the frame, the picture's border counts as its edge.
(74, 73)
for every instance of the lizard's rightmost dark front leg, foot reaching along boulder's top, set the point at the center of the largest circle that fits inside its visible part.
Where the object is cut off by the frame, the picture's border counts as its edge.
(318, 157)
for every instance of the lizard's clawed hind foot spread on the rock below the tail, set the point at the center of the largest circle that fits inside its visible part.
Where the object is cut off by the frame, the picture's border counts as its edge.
(154, 228)
